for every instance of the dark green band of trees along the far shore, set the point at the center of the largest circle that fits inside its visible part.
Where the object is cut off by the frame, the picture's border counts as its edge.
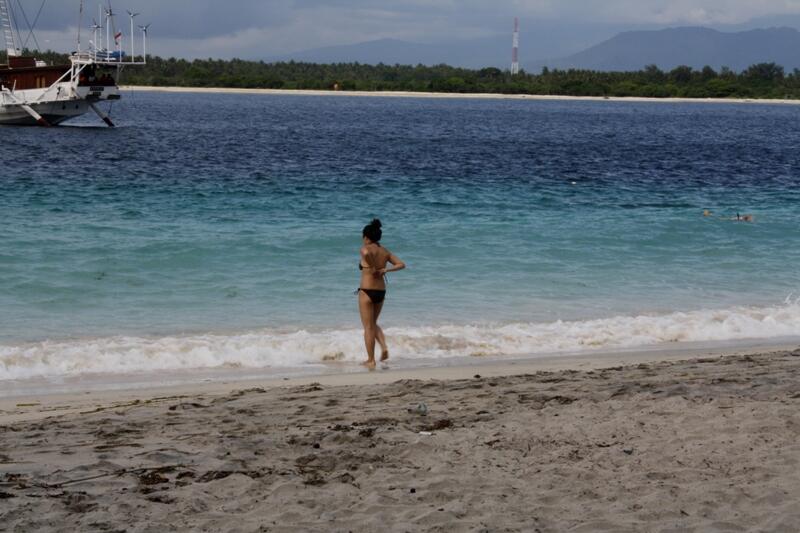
(762, 80)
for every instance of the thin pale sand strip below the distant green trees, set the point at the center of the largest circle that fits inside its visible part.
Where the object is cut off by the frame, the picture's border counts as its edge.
(467, 96)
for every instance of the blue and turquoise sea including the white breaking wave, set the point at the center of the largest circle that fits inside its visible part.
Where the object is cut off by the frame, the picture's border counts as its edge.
(222, 231)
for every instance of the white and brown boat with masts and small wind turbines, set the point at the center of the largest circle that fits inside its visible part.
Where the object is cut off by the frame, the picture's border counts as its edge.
(33, 92)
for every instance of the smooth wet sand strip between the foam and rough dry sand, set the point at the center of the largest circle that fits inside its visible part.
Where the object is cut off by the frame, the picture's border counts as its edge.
(42, 399)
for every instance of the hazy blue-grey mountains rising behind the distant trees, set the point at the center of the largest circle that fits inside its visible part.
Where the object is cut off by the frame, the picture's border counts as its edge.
(667, 48)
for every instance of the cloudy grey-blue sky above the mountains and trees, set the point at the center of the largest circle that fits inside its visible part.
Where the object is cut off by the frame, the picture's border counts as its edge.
(268, 28)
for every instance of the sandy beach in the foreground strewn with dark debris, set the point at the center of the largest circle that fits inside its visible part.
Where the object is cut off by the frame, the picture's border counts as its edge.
(692, 444)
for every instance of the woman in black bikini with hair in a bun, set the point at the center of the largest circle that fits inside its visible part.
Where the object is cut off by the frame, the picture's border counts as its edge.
(372, 291)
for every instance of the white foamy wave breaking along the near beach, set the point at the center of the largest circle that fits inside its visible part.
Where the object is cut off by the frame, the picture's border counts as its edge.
(272, 348)
